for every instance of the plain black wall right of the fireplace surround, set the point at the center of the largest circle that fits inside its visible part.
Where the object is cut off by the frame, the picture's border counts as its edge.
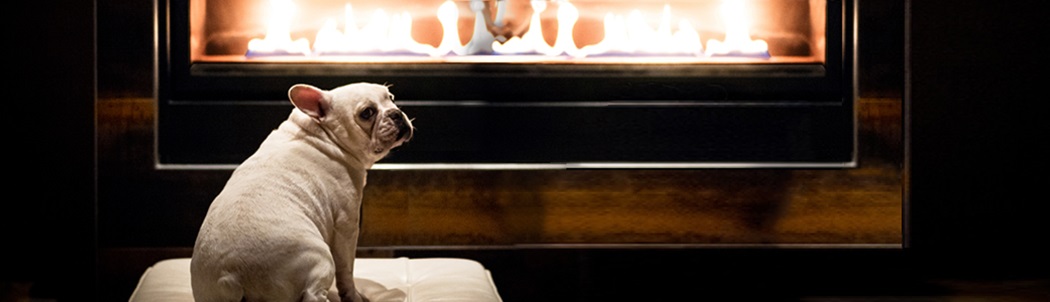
(978, 160)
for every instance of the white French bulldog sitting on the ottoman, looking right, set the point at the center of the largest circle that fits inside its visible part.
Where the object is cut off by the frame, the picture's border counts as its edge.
(285, 227)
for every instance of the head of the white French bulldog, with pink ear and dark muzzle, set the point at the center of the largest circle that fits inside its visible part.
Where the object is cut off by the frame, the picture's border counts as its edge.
(362, 118)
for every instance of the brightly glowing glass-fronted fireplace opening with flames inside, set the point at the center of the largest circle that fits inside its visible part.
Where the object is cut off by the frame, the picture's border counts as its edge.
(520, 32)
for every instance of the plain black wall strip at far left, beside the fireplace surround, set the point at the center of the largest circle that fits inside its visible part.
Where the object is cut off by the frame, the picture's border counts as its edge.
(48, 220)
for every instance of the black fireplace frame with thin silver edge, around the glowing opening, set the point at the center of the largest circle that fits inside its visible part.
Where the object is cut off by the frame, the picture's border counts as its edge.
(491, 116)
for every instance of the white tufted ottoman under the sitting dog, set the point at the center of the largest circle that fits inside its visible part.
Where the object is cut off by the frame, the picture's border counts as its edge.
(381, 281)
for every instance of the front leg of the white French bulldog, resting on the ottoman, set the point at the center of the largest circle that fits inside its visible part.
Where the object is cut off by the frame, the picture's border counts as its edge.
(344, 250)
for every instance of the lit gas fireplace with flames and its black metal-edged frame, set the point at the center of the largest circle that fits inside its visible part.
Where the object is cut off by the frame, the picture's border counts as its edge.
(524, 84)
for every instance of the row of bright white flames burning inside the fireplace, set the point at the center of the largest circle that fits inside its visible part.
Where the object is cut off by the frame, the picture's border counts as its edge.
(392, 35)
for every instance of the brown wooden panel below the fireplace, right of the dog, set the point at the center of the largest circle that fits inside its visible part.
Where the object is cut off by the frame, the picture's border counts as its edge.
(425, 208)
